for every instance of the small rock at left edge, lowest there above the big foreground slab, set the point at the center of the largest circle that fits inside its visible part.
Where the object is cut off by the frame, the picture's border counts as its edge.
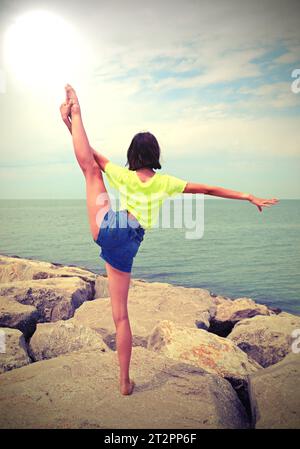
(13, 351)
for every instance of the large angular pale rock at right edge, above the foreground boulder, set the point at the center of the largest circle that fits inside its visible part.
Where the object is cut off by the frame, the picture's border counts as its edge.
(266, 339)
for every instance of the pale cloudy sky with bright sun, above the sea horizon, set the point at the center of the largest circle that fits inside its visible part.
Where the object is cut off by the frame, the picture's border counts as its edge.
(215, 81)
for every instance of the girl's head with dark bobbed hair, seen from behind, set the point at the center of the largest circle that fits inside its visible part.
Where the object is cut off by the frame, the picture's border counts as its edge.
(143, 152)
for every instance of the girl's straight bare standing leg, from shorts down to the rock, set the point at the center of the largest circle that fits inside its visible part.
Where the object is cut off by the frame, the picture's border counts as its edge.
(118, 283)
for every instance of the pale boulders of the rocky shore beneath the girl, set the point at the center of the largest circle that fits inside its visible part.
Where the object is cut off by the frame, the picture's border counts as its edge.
(199, 360)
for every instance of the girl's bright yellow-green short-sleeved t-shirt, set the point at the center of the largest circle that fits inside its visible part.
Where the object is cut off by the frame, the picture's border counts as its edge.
(142, 199)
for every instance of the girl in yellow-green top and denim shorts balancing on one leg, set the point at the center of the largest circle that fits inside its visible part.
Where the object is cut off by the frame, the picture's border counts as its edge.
(120, 233)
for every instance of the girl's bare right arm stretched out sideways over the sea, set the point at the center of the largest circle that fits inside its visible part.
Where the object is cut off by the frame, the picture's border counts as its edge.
(192, 187)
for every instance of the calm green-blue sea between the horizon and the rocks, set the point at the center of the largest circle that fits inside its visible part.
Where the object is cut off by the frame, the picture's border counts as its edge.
(242, 252)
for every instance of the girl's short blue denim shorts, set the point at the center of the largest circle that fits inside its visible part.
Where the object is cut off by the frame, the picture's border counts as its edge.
(119, 238)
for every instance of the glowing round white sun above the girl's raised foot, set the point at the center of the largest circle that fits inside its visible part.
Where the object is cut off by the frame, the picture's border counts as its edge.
(40, 48)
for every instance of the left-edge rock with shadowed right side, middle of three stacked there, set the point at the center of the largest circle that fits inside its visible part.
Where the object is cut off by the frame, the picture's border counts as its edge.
(18, 316)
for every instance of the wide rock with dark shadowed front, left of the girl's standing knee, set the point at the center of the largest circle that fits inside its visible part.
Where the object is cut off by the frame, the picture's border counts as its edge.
(54, 298)
